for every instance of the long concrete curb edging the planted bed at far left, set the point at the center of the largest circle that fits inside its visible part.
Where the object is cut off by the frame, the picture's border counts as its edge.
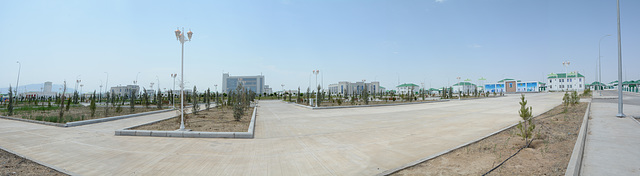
(86, 122)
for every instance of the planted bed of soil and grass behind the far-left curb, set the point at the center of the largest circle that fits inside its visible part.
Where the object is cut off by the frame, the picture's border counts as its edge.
(77, 113)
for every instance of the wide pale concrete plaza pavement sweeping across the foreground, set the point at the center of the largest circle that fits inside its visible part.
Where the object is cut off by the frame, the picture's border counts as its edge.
(290, 140)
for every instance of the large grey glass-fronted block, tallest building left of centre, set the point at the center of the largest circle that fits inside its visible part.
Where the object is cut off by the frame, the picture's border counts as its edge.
(253, 83)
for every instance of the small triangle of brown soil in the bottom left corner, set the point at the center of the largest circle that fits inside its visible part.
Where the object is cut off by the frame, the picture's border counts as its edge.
(11, 164)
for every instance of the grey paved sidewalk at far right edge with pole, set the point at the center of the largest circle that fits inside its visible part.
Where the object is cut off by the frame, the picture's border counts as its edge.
(613, 144)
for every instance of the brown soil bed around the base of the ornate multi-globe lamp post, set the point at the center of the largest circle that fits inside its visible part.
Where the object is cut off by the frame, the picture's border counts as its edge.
(211, 120)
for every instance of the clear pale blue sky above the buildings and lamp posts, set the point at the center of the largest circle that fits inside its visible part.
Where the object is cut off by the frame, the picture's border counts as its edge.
(410, 41)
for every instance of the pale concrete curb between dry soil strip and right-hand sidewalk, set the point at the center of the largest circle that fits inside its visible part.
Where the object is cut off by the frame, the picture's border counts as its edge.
(575, 163)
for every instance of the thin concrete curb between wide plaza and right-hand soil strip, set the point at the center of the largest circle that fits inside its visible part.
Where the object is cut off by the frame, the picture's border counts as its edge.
(394, 170)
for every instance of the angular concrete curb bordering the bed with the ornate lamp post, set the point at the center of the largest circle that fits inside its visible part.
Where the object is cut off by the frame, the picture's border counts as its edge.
(190, 134)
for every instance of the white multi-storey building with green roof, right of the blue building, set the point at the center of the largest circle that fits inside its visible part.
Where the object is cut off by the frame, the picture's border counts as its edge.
(565, 82)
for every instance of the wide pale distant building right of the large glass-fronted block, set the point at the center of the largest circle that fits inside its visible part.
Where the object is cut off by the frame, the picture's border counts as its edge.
(349, 88)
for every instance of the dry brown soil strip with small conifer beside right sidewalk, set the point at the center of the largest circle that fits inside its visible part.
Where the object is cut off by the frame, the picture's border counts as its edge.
(556, 133)
